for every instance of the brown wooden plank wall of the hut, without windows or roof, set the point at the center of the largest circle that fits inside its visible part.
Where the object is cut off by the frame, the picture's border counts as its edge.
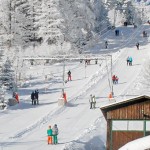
(128, 112)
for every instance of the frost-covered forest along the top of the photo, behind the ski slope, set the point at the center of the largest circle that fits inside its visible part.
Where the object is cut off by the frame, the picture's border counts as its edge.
(61, 24)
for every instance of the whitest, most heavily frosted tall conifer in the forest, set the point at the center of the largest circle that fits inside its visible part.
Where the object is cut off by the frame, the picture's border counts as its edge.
(50, 22)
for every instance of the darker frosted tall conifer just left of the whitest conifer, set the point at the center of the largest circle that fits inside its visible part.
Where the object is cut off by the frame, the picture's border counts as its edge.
(24, 23)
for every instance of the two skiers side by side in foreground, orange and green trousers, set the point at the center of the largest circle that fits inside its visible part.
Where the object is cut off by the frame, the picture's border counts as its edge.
(52, 135)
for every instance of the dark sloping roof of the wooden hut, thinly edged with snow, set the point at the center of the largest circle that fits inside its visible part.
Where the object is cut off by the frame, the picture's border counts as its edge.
(124, 103)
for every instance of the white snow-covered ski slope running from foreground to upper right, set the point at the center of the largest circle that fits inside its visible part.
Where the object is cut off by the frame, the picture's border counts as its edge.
(24, 126)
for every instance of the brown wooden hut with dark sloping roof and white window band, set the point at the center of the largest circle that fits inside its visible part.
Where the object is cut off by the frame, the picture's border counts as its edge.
(126, 121)
